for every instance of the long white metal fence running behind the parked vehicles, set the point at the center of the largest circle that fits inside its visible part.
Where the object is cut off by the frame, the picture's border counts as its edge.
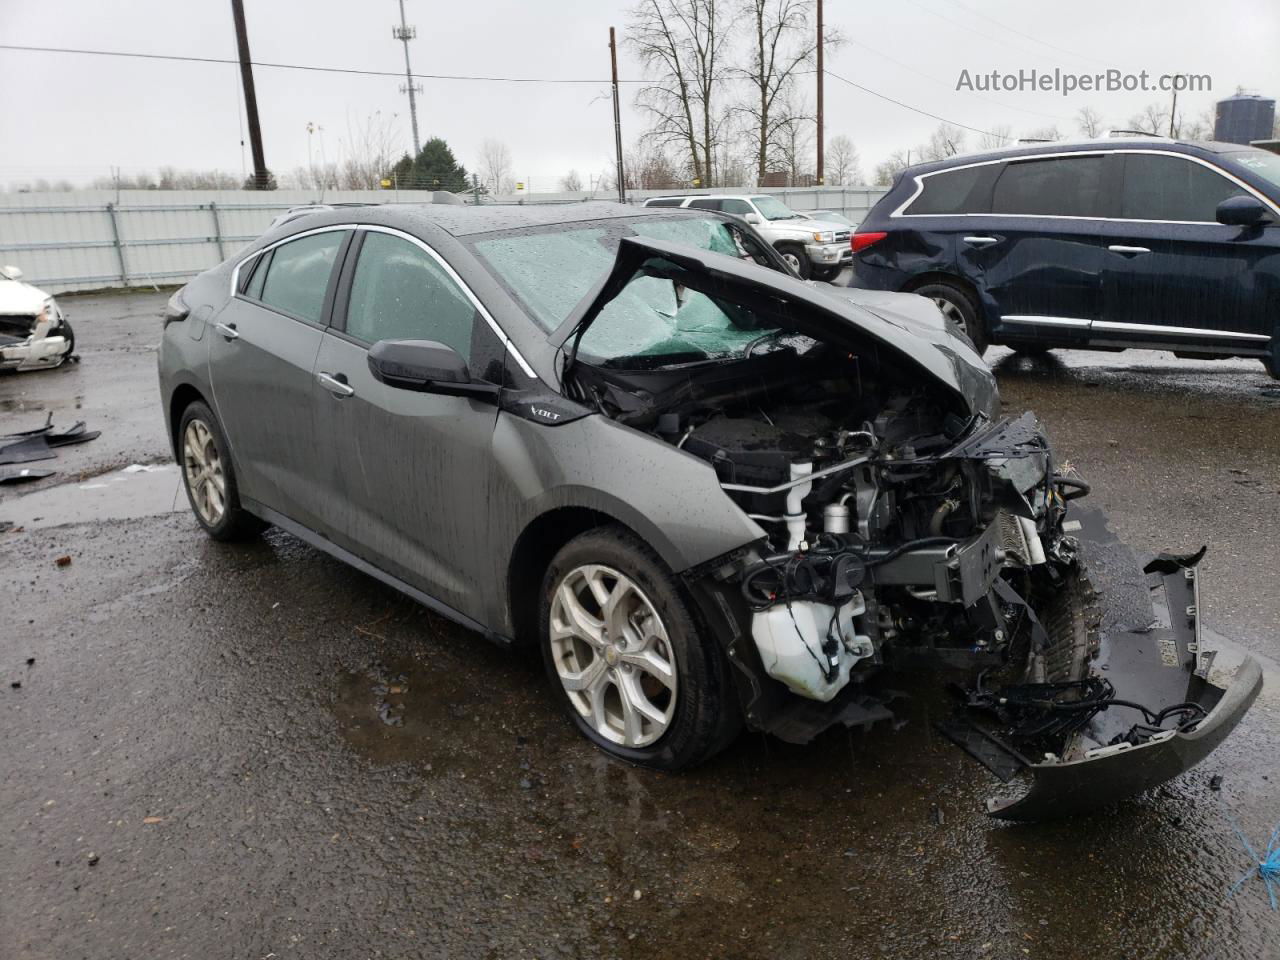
(90, 240)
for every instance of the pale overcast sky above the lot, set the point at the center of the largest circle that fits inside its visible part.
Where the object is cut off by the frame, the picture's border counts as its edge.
(75, 117)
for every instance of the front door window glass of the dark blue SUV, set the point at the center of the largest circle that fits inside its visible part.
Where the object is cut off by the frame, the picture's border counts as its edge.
(1172, 189)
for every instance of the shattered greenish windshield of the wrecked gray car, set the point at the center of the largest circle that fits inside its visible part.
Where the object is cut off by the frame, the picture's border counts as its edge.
(653, 321)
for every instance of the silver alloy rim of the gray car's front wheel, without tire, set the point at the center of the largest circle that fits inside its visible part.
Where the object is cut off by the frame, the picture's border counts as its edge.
(614, 656)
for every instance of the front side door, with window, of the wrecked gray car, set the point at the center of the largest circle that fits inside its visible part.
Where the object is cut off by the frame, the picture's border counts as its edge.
(409, 473)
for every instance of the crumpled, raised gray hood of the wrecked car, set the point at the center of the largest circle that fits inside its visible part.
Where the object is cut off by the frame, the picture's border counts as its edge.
(908, 327)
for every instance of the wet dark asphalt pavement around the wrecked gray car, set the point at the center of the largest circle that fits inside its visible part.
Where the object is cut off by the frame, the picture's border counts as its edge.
(255, 752)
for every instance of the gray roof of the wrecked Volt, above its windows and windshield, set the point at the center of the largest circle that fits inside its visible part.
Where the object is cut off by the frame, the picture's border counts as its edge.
(468, 221)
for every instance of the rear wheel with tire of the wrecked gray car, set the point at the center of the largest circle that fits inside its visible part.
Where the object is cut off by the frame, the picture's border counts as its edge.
(209, 477)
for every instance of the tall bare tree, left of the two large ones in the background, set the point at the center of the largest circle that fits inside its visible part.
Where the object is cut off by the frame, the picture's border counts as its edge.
(680, 44)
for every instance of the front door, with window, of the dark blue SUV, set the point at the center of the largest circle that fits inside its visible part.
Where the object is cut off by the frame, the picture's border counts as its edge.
(1173, 275)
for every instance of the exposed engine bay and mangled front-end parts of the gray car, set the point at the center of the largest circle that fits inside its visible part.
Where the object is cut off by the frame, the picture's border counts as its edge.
(899, 532)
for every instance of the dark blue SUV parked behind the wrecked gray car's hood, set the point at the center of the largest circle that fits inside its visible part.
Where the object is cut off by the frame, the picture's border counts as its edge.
(1101, 246)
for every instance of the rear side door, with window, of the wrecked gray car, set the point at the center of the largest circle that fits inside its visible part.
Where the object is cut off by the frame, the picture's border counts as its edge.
(262, 356)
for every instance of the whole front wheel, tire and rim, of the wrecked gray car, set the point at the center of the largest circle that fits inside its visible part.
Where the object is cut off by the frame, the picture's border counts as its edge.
(615, 694)
